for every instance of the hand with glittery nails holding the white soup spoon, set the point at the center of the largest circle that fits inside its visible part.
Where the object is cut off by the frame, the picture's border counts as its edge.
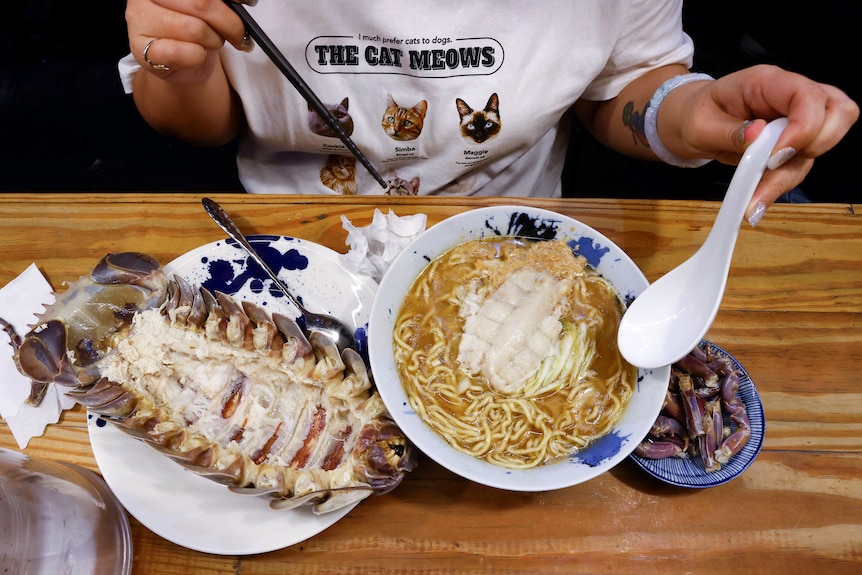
(721, 118)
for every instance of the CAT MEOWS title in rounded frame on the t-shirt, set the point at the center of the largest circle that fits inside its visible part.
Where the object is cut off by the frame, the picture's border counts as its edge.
(421, 57)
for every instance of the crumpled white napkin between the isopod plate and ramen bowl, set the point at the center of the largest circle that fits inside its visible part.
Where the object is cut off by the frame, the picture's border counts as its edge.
(374, 247)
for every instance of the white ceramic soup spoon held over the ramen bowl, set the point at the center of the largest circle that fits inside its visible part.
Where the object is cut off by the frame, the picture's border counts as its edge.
(672, 315)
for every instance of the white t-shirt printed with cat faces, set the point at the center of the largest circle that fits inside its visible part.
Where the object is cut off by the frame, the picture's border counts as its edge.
(449, 97)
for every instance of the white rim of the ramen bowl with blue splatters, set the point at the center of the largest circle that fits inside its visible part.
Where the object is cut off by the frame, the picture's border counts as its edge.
(529, 223)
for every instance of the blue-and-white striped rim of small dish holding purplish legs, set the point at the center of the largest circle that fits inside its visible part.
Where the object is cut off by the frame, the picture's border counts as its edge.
(690, 471)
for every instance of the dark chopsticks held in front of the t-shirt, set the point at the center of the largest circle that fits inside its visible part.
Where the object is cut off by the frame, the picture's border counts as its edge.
(271, 50)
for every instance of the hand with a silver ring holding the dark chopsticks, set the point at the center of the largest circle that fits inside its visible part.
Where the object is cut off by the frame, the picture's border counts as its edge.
(176, 40)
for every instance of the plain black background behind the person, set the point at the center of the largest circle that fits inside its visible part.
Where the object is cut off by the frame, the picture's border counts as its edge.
(66, 125)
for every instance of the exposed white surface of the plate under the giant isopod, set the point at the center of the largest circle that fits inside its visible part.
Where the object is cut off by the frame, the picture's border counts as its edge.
(152, 488)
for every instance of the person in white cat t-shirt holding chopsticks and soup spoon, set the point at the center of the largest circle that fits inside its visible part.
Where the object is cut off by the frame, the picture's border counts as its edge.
(469, 98)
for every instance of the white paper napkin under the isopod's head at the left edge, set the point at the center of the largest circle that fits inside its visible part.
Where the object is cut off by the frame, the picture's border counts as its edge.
(20, 301)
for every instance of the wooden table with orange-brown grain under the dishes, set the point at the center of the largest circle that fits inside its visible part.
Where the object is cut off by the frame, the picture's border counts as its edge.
(792, 315)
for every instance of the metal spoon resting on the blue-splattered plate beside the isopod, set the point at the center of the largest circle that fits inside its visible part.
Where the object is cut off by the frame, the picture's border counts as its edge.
(329, 326)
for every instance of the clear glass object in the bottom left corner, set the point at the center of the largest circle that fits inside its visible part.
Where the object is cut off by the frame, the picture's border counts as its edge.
(59, 518)
